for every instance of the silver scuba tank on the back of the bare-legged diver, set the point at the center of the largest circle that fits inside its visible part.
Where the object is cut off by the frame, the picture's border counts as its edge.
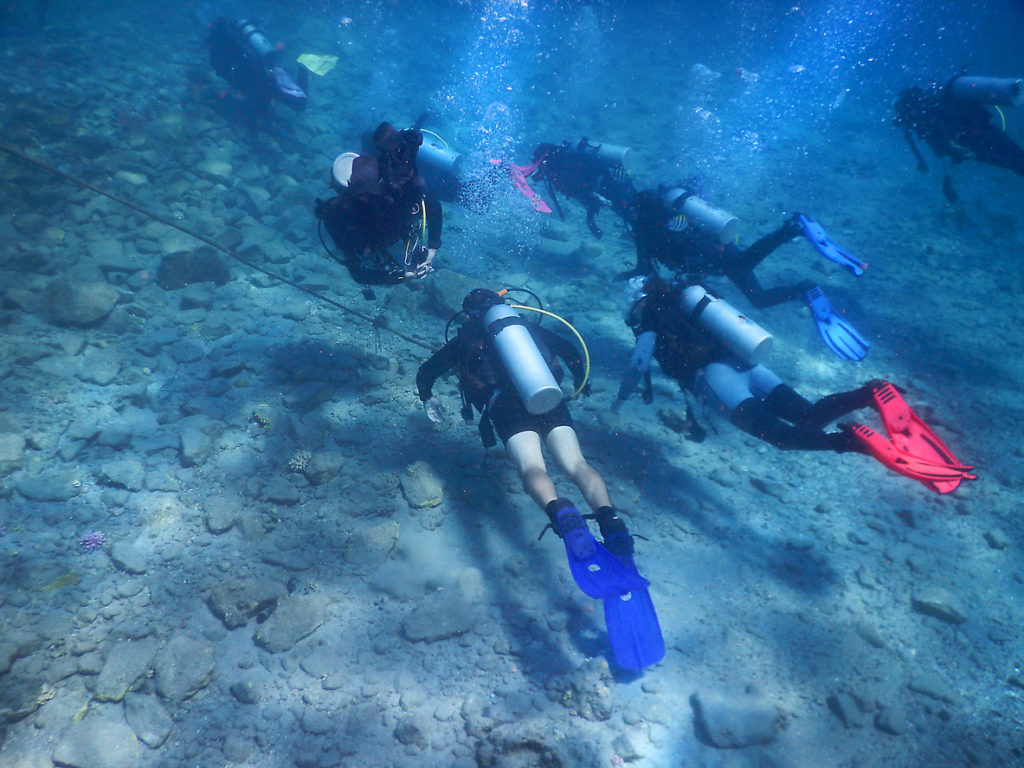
(530, 372)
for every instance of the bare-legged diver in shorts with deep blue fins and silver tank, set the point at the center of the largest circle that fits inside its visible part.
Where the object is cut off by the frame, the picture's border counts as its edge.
(508, 371)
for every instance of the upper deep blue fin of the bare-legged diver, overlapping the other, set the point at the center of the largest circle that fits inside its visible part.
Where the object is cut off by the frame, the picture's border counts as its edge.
(595, 570)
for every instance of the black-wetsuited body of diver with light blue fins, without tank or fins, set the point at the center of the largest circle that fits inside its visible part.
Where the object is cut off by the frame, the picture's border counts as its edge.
(698, 252)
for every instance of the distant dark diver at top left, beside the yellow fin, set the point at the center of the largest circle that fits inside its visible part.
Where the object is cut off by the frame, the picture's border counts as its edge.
(243, 56)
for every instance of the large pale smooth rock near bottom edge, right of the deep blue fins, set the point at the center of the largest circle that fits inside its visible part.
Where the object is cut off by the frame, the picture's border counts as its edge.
(737, 720)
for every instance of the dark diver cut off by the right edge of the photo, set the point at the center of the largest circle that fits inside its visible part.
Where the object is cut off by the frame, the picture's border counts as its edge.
(956, 121)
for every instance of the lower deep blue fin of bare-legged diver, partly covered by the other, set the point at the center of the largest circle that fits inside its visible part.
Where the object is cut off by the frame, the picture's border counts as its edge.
(634, 632)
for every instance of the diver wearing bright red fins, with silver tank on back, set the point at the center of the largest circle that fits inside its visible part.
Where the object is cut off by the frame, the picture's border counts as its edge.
(716, 353)
